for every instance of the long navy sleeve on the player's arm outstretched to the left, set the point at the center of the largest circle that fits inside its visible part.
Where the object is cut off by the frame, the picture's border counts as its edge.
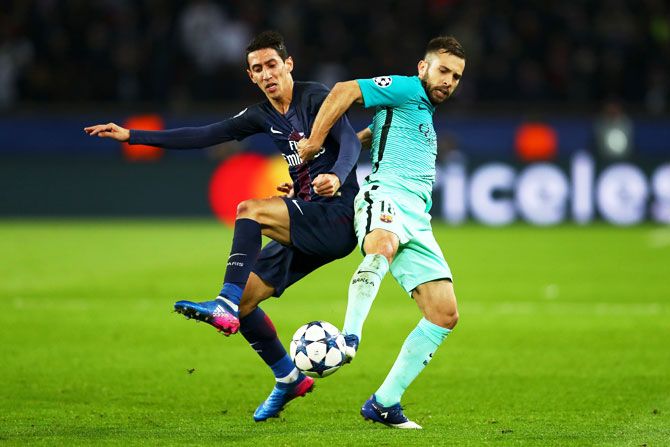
(238, 127)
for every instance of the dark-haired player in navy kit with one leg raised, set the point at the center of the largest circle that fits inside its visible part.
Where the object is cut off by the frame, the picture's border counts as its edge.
(311, 226)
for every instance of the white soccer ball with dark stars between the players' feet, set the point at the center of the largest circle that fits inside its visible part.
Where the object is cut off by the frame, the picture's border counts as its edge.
(317, 349)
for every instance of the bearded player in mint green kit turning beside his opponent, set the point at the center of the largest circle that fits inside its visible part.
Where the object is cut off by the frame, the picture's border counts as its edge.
(392, 210)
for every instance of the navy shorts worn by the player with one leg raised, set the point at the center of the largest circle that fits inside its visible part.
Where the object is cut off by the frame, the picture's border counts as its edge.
(320, 233)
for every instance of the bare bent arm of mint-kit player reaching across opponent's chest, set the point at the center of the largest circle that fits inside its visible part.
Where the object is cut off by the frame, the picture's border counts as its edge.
(338, 101)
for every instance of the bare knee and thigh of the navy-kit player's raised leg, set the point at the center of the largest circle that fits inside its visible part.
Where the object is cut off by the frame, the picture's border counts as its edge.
(272, 214)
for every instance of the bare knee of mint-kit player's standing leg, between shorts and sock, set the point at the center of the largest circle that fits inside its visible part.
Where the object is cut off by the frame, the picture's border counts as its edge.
(437, 301)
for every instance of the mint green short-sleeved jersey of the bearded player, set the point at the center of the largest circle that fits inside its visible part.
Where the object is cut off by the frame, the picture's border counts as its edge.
(404, 143)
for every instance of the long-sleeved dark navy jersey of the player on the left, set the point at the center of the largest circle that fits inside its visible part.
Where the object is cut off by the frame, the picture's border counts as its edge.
(338, 155)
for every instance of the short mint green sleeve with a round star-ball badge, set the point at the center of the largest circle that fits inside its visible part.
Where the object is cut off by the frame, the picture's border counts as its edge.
(390, 91)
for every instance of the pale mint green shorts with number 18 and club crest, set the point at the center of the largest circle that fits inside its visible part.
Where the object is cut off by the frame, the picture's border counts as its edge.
(419, 258)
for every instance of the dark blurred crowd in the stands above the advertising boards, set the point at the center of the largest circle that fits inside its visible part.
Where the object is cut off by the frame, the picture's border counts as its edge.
(183, 51)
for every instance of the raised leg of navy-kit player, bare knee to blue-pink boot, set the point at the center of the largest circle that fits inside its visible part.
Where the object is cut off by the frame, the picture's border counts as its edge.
(255, 217)
